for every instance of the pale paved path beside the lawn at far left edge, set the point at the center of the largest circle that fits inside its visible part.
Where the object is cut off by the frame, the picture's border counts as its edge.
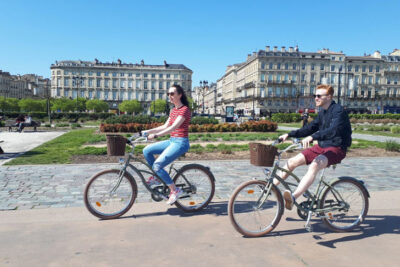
(15, 144)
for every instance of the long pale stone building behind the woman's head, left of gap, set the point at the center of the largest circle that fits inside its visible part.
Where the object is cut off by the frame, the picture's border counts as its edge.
(116, 82)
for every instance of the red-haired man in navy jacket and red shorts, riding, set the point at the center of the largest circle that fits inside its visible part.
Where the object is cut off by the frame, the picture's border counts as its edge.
(332, 129)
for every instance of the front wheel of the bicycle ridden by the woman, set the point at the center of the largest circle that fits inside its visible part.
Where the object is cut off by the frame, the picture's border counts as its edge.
(105, 198)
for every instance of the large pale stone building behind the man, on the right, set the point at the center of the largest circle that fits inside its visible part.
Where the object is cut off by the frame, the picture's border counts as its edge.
(284, 80)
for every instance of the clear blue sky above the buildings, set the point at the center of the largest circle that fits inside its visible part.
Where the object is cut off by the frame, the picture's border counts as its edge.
(204, 35)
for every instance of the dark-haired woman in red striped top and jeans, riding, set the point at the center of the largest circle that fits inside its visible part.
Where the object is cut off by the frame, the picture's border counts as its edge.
(177, 126)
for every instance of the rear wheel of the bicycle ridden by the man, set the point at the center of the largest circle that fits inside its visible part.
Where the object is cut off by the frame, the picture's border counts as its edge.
(355, 195)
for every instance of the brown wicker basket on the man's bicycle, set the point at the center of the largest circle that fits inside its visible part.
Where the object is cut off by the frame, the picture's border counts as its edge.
(262, 155)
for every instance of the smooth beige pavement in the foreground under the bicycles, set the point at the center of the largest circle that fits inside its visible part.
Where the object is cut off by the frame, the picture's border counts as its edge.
(152, 234)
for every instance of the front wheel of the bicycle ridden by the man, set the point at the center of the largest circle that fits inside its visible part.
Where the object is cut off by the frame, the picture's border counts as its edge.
(253, 213)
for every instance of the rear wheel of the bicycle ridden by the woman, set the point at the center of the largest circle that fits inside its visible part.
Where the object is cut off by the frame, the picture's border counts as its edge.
(198, 185)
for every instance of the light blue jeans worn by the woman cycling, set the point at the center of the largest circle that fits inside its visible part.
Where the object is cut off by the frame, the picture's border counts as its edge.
(169, 150)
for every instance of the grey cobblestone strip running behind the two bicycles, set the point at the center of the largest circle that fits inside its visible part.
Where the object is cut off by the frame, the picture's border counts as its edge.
(26, 187)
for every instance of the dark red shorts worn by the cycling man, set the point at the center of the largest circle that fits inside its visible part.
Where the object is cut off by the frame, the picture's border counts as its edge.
(332, 153)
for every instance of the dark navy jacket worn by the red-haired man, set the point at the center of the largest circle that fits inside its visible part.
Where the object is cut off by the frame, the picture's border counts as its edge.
(330, 128)
